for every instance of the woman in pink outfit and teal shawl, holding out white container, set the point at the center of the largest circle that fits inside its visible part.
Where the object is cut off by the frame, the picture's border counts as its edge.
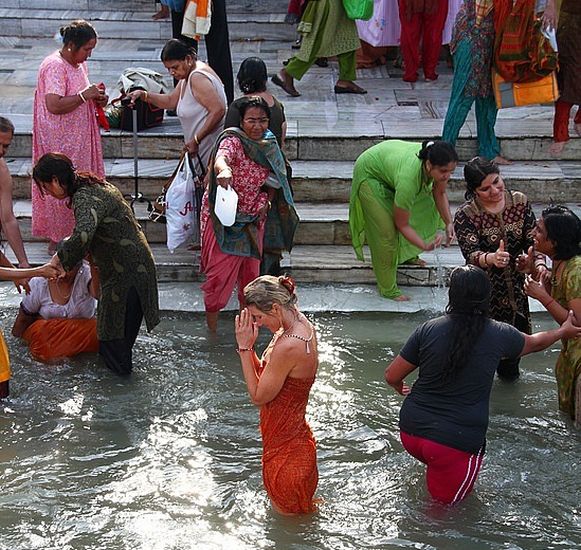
(248, 159)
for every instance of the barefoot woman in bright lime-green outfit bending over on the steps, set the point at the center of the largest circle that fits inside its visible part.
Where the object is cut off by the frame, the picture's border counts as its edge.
(398, 202)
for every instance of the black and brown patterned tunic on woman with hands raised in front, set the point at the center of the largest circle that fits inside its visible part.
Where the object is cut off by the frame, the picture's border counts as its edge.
(479, 231)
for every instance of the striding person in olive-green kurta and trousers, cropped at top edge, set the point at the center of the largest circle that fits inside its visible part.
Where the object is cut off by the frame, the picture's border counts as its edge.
(327, 32)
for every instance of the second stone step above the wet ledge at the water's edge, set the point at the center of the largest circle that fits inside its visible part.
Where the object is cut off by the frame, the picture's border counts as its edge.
(320, 225)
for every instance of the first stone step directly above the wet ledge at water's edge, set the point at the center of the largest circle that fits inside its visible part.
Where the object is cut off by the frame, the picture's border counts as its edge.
(308, 264)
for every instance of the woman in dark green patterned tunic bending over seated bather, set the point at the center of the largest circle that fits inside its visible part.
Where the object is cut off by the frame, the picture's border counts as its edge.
(106, 228)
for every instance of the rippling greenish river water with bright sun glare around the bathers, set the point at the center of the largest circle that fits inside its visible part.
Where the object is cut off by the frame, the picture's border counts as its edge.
(170, 459)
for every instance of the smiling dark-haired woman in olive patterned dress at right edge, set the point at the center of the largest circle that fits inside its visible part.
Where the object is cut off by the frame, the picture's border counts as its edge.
(558, 235)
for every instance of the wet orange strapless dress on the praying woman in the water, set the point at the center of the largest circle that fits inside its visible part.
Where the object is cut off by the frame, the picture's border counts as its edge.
(289, 457)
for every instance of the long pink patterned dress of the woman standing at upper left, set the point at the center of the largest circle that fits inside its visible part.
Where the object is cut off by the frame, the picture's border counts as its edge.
(75, 134)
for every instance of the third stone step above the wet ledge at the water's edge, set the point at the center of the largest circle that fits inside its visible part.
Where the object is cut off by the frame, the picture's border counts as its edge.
(330, 181)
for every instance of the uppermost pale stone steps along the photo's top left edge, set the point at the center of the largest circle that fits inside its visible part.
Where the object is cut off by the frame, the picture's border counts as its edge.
(138, 25)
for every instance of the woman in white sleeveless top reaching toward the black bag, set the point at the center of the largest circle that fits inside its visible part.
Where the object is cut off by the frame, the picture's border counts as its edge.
(198, 99)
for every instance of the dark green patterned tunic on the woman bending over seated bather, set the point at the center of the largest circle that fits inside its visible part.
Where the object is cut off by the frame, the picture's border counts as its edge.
(106, 227)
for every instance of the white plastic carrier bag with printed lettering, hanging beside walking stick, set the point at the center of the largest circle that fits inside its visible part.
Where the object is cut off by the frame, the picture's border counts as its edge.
(179, 208)
